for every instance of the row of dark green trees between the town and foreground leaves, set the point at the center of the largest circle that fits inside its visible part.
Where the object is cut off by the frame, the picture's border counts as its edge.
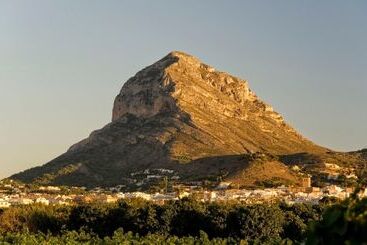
(178, 221)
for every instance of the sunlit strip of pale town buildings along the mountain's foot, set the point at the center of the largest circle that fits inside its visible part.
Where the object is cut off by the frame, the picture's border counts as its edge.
(13, 195)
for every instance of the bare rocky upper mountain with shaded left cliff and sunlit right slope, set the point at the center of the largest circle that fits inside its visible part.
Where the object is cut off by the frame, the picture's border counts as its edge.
(219, 105)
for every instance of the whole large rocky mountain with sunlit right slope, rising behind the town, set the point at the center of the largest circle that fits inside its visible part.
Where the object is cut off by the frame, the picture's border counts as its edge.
(185, 117)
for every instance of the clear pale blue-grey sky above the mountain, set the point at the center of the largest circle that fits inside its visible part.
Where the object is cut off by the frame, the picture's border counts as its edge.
(63, 62)
